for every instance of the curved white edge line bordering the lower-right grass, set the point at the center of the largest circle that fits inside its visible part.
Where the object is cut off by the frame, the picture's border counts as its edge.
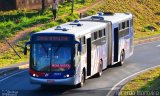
(114, 87)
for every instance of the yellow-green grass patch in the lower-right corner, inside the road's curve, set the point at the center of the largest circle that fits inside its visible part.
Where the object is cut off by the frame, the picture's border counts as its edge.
(146, 82)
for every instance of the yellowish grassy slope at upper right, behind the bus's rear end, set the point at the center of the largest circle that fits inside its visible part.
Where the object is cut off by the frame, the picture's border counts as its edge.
(146, 13)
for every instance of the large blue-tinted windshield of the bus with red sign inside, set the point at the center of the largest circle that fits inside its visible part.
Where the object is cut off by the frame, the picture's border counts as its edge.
(50, 57)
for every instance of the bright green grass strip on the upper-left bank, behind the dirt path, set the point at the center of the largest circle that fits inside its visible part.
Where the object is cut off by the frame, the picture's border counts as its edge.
(13, 21)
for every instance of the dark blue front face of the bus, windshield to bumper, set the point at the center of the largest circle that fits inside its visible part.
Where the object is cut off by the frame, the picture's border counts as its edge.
(51, 59)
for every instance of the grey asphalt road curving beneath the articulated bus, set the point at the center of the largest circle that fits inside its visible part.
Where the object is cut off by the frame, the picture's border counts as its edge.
(145, 56)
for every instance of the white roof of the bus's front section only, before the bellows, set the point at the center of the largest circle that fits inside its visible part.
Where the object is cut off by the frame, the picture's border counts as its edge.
(74, 28)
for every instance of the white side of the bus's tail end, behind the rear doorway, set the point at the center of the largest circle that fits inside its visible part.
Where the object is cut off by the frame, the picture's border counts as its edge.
(125, 39)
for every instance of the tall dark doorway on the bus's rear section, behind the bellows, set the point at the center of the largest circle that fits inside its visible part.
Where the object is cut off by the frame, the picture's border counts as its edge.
(116, 44)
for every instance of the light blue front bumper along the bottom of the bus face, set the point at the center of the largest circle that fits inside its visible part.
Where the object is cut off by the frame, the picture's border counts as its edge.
(66, 81)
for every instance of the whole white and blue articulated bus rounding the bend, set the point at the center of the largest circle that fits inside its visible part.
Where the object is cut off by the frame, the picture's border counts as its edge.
(70, 53)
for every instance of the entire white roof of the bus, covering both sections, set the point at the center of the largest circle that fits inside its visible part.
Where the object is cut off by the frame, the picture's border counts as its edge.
(84, 26)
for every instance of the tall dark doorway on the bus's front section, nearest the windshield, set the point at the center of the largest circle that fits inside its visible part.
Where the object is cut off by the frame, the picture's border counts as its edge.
(89, 57)
